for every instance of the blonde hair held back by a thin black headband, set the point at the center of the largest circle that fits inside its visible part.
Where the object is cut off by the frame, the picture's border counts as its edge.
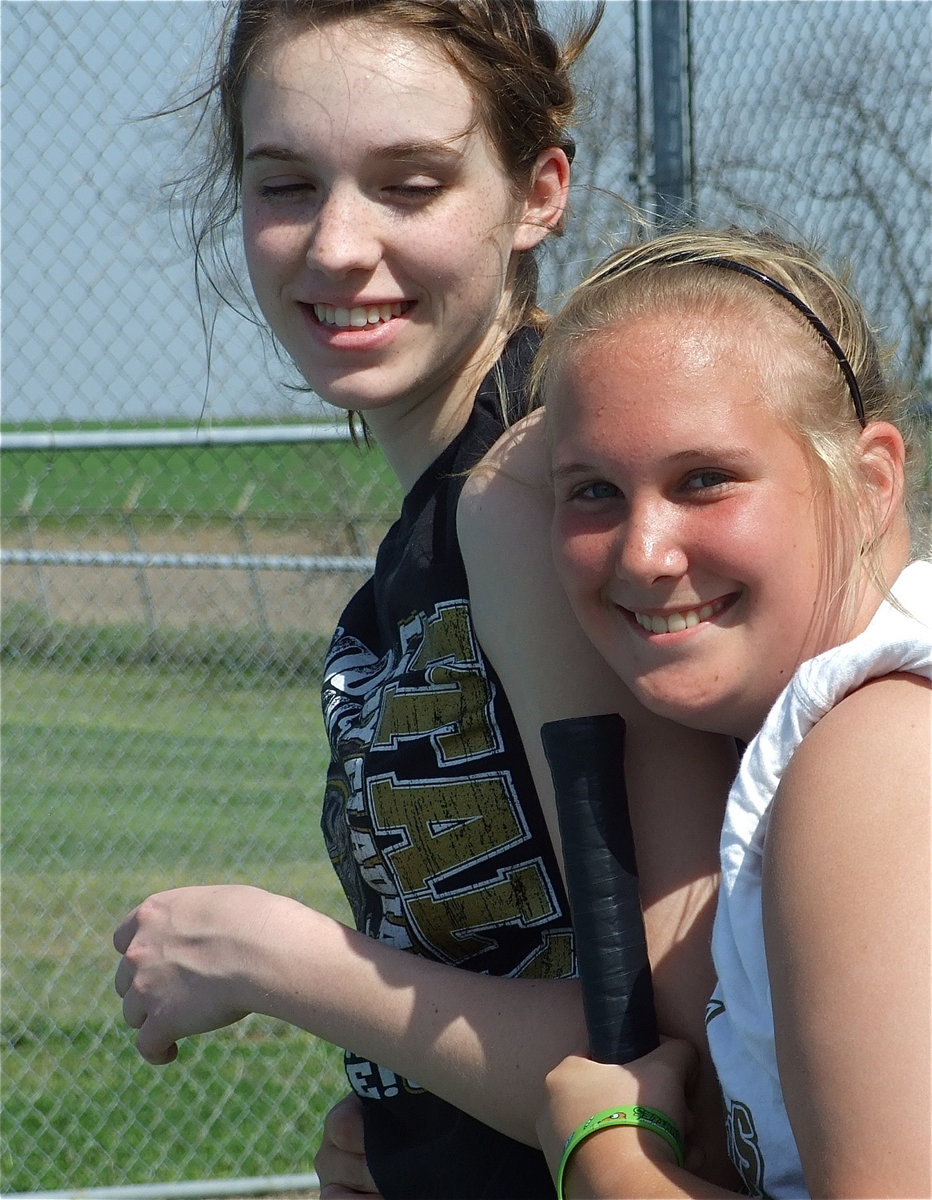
(825, 373)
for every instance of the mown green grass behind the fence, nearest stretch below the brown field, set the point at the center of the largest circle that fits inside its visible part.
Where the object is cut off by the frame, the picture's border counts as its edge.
(118, 783)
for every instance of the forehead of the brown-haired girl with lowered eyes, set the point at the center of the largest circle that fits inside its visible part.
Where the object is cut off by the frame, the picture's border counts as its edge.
(356, 81)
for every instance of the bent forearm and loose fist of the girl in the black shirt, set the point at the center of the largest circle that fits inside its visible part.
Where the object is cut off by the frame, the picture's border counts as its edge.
(199, 959)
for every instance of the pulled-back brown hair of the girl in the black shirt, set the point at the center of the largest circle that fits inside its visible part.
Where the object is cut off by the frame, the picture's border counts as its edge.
(519, 74)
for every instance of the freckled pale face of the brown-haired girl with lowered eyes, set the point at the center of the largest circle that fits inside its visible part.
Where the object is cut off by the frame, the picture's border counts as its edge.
(380, 225)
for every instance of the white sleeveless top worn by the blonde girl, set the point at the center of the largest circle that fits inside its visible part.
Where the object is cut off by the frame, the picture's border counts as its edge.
(739, 1017)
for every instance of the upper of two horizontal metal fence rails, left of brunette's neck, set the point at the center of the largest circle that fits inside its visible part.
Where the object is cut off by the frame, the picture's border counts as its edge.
(195, 436)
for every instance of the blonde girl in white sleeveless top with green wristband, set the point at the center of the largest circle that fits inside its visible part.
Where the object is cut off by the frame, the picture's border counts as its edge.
(732, 467)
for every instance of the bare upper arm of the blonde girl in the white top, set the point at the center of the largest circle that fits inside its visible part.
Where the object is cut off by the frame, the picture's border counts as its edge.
(847, 896)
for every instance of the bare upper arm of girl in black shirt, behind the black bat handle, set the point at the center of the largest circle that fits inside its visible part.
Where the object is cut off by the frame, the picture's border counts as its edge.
(678, 779)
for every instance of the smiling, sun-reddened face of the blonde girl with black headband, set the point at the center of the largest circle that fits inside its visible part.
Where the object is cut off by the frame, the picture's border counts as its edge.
(686, 530)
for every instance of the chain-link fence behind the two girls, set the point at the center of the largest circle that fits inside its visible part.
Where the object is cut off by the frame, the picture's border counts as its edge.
(171, 578)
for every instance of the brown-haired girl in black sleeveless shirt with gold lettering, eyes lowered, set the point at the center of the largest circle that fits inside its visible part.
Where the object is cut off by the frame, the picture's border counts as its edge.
(395, 165)
